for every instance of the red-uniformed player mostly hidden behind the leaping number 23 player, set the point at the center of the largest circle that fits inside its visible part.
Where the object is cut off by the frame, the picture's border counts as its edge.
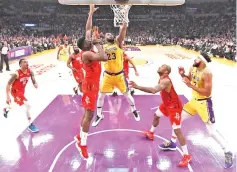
(126, 62)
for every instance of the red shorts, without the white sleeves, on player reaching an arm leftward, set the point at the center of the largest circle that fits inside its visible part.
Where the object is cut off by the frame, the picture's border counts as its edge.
(174, 114)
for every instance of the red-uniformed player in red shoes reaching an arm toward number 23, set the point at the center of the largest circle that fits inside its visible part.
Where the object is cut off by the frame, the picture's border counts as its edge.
(171, 107)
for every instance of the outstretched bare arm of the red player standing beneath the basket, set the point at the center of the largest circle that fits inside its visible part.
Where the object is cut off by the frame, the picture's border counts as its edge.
(161, 86)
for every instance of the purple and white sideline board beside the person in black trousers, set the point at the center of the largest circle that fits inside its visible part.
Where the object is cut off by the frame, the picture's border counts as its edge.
(19, 52)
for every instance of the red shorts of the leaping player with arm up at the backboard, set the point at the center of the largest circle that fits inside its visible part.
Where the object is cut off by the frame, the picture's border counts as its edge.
(90, 92)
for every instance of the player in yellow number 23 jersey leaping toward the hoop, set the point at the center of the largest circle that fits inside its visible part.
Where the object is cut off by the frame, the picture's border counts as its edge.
(114, 76)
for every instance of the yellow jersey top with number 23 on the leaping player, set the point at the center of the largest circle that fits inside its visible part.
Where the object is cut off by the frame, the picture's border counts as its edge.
(115, 58)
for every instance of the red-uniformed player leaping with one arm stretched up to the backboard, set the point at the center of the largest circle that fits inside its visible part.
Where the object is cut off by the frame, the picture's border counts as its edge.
(90, 85)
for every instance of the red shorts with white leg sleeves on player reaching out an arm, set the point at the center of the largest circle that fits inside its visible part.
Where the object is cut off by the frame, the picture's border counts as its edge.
(174, 114)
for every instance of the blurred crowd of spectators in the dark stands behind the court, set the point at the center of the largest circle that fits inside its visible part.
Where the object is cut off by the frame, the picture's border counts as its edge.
(44, 24)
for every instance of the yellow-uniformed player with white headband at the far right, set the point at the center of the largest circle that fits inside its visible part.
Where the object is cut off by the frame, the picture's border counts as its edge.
(199, 80)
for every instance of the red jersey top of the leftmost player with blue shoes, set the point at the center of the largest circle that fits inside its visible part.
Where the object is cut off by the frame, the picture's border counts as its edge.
(20, 83)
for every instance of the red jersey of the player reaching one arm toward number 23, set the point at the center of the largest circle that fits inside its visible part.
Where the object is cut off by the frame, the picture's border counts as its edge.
(170, 99)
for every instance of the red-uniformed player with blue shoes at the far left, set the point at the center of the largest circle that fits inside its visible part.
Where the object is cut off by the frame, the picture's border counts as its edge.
(16, 87)
